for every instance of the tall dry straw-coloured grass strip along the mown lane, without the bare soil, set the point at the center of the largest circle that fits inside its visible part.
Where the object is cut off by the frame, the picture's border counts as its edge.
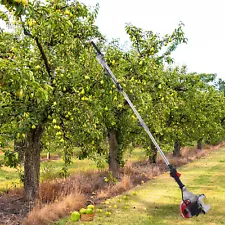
(61, 196)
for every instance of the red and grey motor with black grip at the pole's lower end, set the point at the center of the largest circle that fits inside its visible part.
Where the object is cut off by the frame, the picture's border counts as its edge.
(191, 205)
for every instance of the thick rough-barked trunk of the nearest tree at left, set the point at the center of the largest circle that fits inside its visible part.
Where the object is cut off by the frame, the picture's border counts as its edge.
(32, 163)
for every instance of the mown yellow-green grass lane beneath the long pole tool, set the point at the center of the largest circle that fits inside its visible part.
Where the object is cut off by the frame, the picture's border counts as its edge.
(157, 201)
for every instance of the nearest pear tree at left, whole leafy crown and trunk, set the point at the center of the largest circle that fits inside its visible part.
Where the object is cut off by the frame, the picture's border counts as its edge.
(41, 70)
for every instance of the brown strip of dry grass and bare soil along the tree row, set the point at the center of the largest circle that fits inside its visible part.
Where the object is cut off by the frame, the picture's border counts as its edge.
(90, 185)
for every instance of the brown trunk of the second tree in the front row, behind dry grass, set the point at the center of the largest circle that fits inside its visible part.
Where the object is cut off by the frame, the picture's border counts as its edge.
(114, 164)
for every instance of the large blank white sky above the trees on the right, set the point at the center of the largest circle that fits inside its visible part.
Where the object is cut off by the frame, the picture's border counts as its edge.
(204, 27)
